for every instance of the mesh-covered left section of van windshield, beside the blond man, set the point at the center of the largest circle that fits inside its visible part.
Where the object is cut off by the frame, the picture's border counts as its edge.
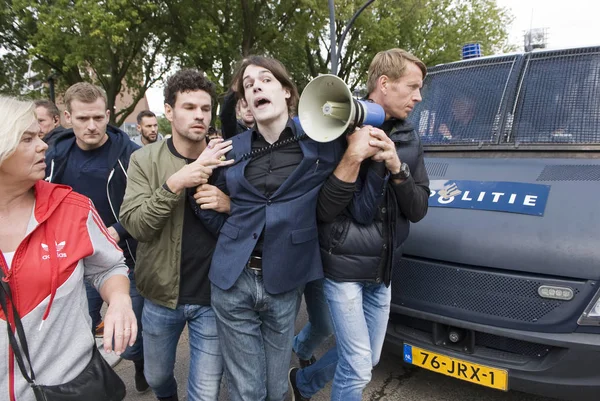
(461, 102)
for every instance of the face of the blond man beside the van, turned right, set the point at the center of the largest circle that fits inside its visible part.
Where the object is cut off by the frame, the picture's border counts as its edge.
(402, 95)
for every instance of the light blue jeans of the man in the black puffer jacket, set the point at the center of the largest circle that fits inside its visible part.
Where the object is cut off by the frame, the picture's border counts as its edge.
(360, 313)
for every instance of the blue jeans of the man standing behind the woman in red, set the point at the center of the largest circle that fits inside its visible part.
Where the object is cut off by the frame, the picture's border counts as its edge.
(95, 301)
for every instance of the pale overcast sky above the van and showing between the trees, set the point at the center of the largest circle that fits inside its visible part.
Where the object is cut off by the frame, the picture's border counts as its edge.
(569, 23)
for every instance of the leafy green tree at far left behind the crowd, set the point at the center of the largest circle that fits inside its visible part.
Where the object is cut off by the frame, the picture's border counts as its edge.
(117, 44)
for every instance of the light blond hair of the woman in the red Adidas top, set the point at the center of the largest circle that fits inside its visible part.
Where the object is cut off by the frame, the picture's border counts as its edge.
(18, 116)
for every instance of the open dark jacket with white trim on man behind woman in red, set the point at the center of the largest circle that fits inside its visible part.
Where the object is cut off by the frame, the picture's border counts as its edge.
(121, 149)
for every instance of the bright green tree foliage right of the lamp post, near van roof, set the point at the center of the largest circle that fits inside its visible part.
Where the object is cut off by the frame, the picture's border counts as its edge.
(433, 30)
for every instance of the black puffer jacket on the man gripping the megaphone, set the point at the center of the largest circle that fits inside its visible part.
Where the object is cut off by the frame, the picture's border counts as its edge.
(364, 241)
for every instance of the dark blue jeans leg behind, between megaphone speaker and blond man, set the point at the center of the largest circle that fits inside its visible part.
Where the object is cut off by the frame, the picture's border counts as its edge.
(319, 326)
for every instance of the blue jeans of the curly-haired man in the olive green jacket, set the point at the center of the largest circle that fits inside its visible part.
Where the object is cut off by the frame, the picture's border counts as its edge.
(162, 329)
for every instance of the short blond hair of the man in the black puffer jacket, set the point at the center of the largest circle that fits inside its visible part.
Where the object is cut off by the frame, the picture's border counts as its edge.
(391, 63)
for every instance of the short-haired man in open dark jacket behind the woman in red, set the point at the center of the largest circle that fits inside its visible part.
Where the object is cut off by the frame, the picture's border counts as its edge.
(93, 158)
